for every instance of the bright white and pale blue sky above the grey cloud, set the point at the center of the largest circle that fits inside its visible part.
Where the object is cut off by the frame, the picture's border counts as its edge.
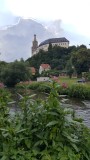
(75, 14)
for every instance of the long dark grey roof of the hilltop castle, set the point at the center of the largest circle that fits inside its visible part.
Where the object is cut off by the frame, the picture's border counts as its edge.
(53, 40)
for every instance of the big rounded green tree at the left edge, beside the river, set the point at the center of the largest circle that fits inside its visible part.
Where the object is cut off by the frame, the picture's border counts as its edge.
(14, 73)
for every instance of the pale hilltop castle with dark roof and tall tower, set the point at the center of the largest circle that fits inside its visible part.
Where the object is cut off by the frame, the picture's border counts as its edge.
(62, 42)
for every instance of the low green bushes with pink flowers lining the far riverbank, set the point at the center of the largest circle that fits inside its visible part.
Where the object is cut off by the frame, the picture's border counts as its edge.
(75, 90)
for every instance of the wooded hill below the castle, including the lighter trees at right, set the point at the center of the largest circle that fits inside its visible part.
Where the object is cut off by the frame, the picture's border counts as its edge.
(72, 59)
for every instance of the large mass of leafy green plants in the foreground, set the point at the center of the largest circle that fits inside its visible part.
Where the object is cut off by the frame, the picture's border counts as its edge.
(44, 130)
